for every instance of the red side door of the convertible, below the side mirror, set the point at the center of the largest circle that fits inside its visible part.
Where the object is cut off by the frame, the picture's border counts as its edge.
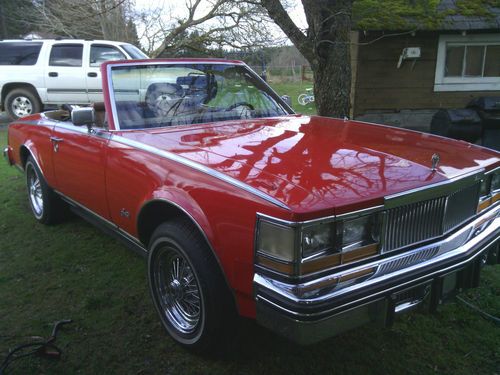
(79, 159)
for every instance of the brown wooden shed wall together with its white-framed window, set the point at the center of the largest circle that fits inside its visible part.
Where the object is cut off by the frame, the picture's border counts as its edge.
(401, 77)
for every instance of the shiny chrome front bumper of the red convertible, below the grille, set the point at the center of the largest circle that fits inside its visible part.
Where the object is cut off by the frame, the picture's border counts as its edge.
(490, 232)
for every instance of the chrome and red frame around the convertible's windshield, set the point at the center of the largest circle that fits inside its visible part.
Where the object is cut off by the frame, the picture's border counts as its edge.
(108, 83)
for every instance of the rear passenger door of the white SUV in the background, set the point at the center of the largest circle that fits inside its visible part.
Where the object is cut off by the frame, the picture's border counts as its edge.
(64, 75)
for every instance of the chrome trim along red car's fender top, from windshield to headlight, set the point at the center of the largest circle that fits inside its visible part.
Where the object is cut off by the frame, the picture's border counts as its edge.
(199, 167)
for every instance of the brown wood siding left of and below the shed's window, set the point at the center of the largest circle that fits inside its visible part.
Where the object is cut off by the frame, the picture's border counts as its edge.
(380, 86)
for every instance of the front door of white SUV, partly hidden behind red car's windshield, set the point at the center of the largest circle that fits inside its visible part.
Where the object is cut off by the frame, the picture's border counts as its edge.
(99, 53)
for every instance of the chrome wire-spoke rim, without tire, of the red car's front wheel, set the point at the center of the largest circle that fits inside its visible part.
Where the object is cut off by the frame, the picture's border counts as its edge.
(177, 289)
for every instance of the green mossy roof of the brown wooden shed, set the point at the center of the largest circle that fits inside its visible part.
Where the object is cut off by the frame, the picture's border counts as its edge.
(413, 14)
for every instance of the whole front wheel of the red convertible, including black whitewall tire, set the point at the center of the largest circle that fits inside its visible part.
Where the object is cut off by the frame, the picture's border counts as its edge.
(187, 287)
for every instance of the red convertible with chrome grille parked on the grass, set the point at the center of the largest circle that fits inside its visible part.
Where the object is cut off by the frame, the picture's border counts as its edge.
(310, 225)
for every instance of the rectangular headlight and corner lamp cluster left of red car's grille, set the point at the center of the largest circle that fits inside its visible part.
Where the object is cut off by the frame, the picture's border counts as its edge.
(304, 249)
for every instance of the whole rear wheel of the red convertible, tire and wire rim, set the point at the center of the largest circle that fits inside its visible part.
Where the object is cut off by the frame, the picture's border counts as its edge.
(45, 204)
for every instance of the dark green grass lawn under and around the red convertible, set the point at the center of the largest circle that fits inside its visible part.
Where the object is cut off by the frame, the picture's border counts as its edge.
(73, 271)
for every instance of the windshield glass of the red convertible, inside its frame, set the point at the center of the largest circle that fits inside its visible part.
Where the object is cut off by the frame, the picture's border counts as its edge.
(159, 95)
